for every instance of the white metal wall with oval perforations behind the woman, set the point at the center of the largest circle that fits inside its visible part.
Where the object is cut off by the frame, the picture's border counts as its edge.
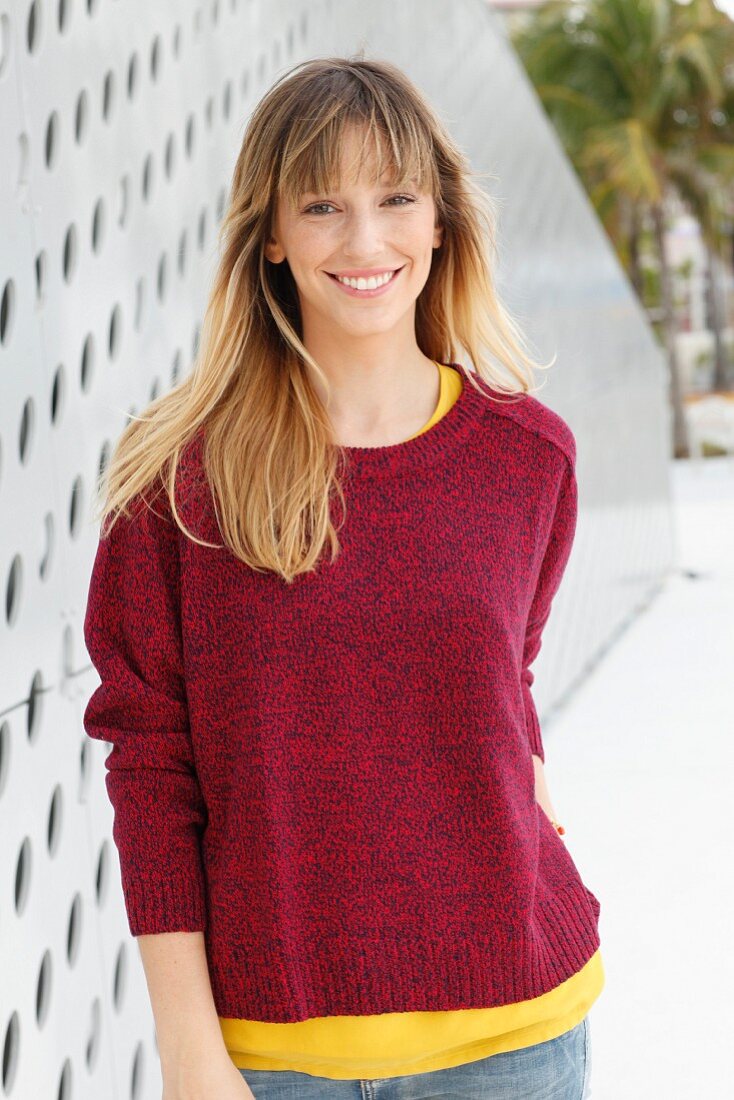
(119, 126)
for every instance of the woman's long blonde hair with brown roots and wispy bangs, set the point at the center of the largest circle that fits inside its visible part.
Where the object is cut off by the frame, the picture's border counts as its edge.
(269, 455)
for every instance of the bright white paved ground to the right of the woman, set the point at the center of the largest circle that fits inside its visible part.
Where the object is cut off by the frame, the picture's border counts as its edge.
(641, 769)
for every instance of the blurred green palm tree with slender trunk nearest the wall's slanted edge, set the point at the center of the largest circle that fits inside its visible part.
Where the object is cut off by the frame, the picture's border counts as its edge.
(614, 76)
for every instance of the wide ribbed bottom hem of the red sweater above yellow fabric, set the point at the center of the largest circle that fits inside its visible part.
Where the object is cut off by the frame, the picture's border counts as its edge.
(390, 975)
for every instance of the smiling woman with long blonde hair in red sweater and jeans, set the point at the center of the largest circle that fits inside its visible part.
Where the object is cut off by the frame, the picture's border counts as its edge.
(332, 555)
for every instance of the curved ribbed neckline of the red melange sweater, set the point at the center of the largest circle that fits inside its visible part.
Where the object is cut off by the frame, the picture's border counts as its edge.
(428, 447)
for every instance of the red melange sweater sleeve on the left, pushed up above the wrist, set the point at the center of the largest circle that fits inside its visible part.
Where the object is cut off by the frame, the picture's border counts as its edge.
(133, 633)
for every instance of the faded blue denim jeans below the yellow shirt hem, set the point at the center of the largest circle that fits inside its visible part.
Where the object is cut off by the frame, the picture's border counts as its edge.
(557, 1070)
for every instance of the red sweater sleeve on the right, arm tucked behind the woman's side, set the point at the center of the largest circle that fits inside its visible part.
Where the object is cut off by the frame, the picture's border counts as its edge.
(555, 560)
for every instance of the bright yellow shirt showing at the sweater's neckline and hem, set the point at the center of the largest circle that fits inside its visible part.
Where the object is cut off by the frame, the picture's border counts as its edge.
(393, 1044)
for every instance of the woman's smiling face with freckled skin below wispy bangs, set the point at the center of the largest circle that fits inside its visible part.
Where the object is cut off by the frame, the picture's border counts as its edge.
(363, 230)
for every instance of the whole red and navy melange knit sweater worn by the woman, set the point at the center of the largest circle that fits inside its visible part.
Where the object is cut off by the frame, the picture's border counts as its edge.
(334, 779)
